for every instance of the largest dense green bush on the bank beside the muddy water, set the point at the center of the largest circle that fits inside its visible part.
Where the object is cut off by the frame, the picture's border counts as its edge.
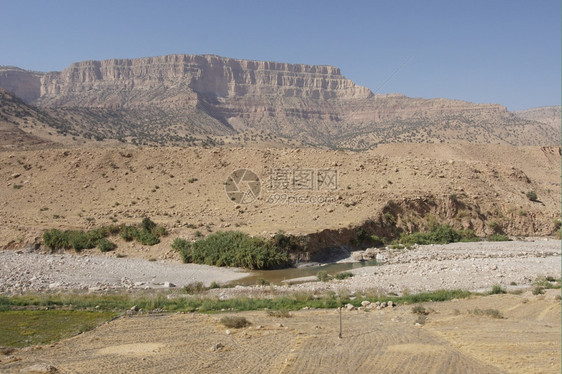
(232, 248)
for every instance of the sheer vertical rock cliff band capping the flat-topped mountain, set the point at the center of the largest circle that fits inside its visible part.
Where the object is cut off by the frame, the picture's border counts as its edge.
(172, 79)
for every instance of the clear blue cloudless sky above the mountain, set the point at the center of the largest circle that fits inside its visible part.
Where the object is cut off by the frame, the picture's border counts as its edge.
(484, 51)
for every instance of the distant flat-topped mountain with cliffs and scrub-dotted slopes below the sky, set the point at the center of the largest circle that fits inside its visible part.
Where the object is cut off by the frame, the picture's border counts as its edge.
(208, 100)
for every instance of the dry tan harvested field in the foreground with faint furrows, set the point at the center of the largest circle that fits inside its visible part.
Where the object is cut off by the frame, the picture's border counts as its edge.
(453, 340)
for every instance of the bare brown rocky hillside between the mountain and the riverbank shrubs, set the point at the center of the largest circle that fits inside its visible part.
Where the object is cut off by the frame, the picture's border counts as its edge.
(327, 194)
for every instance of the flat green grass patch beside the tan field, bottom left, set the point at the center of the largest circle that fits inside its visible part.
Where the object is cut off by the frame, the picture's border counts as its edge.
(25, 328)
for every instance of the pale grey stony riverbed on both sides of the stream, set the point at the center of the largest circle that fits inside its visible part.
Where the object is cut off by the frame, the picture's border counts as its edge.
(470, 266)
